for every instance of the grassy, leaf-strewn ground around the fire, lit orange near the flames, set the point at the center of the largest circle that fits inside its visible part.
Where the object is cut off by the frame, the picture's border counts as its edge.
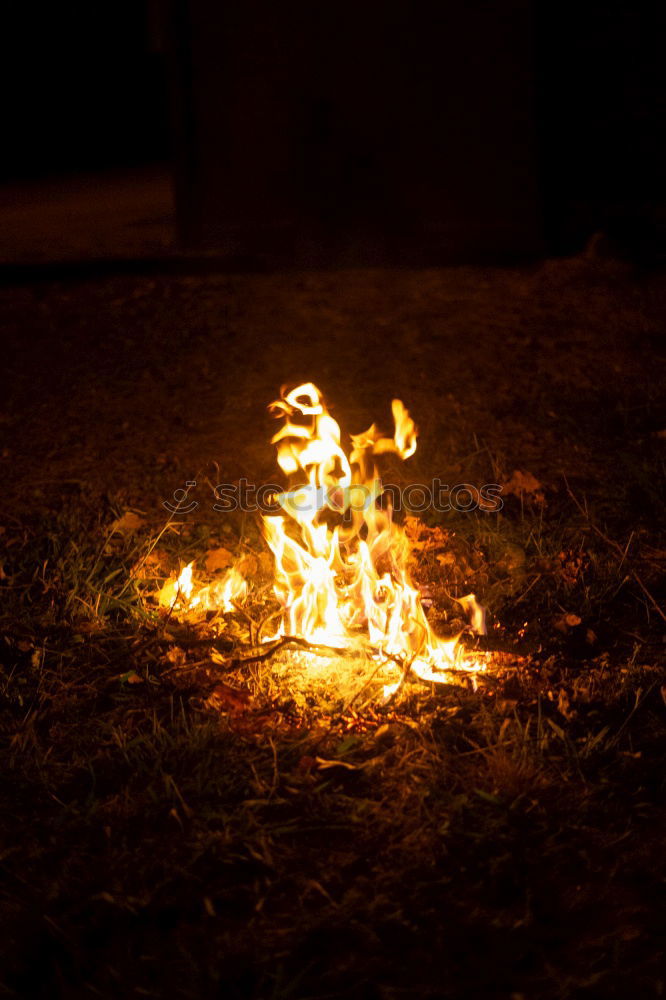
(178, 822)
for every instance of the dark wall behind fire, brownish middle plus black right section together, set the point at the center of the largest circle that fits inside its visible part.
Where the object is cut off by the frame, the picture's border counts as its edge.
(442, 129)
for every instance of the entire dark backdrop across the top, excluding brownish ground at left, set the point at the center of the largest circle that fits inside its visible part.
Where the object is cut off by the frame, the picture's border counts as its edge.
(429, 131)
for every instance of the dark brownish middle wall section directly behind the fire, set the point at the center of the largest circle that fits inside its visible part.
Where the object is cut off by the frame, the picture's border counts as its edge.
(369, 130)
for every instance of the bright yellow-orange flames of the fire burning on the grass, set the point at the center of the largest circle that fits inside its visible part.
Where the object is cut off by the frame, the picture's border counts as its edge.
(341, 558)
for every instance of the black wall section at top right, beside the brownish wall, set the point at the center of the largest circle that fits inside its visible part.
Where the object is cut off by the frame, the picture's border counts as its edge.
(601, 115)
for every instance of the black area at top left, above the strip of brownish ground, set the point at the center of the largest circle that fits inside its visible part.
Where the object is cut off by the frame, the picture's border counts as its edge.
(83, 86)
